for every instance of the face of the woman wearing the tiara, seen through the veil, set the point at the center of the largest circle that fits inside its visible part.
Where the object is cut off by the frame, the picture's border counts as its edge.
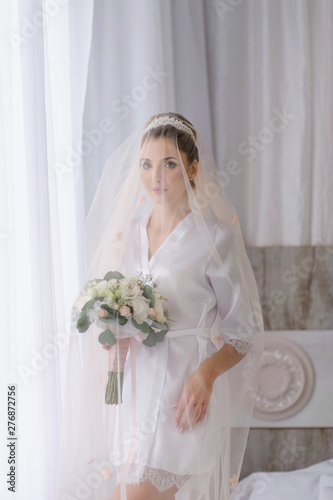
(161, 171)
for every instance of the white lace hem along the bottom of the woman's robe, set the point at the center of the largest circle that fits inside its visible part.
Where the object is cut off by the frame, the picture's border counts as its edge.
(160, 478)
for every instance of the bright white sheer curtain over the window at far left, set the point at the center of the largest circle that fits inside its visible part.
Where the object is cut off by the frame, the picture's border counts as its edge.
(44, 54)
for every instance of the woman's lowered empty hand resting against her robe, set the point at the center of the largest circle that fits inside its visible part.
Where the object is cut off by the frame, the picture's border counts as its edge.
(195, 396)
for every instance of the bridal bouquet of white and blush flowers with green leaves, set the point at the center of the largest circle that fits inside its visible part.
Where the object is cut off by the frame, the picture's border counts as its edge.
(116, 300)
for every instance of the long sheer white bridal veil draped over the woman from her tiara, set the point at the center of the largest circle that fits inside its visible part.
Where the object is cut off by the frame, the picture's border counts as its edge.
(163, 174)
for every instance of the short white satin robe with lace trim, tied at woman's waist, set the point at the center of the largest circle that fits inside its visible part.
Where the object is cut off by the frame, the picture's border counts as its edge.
(196, 289)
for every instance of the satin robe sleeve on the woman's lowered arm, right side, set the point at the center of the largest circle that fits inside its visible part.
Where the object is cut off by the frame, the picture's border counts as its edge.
(229, 280)
